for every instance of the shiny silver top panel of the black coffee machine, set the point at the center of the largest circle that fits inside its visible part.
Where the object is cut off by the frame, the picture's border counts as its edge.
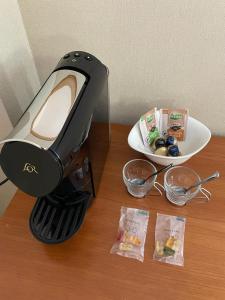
(45, 117)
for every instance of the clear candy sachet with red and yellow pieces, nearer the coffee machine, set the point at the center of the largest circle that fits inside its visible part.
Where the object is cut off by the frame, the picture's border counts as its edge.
(131, 235)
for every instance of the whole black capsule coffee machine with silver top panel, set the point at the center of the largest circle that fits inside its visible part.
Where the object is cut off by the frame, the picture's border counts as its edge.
(57, 150)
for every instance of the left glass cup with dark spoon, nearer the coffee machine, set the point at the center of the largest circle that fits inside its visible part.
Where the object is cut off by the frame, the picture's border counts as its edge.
(140, 169)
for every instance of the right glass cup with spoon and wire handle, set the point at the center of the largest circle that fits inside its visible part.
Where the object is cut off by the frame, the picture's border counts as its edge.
(180, 177)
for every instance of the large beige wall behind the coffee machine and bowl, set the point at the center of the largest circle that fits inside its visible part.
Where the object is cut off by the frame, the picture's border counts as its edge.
(168, 53)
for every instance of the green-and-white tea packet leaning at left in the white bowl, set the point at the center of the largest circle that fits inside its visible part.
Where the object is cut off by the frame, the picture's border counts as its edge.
(149, 127)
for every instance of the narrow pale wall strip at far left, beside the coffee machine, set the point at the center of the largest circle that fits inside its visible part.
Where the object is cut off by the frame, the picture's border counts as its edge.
(19, 80)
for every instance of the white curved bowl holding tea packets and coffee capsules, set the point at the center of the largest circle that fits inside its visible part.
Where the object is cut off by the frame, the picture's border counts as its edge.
(198, 136)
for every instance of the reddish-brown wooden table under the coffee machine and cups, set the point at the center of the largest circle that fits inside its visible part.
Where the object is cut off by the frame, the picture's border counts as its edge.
(83, 268)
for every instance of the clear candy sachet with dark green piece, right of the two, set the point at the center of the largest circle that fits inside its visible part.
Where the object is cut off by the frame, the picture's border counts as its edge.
(169, 239)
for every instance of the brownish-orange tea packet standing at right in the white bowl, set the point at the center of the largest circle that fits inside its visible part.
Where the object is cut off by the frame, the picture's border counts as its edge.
(173, 122)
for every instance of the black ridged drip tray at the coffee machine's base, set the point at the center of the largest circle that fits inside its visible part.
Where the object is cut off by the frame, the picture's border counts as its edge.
(54, 220)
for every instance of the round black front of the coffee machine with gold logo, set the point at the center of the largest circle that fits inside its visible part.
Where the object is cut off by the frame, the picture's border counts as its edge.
(32, 169)
